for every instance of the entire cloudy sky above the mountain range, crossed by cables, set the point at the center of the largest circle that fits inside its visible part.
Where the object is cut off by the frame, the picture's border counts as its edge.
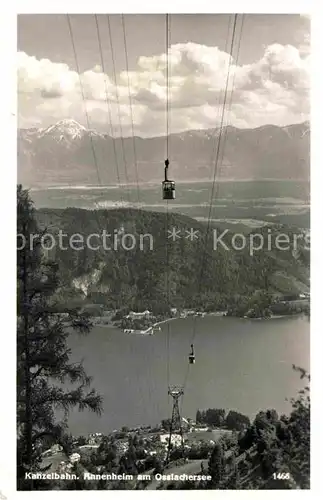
(267, 75)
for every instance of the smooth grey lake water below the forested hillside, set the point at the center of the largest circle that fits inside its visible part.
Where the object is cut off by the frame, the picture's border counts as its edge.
(243, 365)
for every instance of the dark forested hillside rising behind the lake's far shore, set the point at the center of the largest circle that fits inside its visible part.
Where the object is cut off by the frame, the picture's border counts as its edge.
(187, 272)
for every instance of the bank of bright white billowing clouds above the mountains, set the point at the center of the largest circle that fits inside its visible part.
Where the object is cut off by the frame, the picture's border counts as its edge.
(274, 89)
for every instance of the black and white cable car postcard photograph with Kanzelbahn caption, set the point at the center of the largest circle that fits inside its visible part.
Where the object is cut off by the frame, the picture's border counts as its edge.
(163, 251)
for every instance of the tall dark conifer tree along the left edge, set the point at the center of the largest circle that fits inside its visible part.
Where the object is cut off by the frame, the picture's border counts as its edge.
(43, 356)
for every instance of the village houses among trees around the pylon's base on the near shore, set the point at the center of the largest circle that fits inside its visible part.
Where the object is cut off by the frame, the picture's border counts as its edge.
(151, 444)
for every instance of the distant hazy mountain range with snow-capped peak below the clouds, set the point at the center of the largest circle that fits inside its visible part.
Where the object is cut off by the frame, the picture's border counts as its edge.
(63, 154)
